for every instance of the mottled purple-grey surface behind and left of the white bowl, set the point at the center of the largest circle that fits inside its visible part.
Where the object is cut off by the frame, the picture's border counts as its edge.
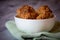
(8, 11)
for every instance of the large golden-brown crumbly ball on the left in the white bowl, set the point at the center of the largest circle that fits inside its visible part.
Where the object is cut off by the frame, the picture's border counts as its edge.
(26, 12)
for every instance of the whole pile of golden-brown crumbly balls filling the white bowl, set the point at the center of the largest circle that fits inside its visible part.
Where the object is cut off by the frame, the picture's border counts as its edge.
(28, 12)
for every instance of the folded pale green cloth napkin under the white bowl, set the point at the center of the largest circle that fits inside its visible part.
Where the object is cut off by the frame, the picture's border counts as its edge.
(11, 26)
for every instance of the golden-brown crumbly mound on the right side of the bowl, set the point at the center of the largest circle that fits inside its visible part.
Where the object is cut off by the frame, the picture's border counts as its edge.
(44, 12)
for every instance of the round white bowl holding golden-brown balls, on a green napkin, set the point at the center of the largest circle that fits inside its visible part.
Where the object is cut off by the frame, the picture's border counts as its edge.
(34, 25)
